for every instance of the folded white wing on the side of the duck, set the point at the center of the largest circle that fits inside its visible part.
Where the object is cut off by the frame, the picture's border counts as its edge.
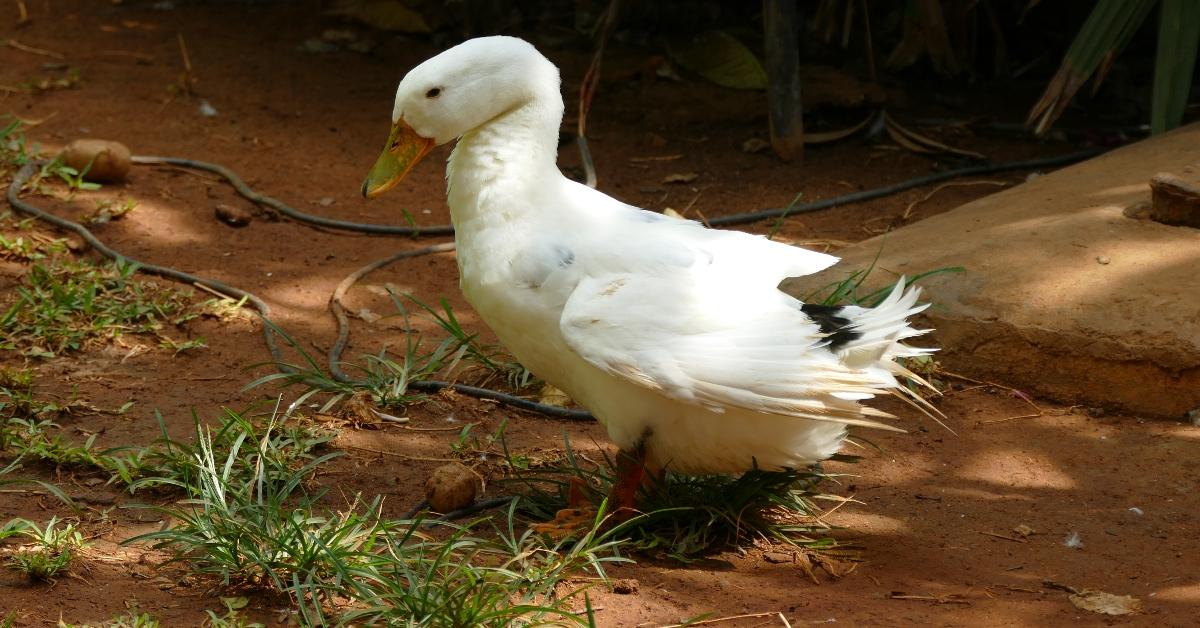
(718, 333)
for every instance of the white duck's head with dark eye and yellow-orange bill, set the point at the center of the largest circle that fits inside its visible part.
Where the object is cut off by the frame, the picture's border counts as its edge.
(455, 93)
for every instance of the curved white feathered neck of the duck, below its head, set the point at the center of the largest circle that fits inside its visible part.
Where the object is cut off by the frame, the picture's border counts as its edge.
(499, 169)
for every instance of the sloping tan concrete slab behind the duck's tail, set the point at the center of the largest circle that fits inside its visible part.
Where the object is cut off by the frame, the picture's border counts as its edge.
(1064, 295)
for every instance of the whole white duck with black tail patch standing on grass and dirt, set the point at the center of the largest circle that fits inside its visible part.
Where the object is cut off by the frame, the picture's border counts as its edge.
(675, 337)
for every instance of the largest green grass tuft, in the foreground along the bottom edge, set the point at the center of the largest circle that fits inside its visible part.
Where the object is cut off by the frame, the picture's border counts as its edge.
(253, 522)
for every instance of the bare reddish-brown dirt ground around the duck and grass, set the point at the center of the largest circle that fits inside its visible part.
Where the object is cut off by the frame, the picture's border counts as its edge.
(935, 512)
